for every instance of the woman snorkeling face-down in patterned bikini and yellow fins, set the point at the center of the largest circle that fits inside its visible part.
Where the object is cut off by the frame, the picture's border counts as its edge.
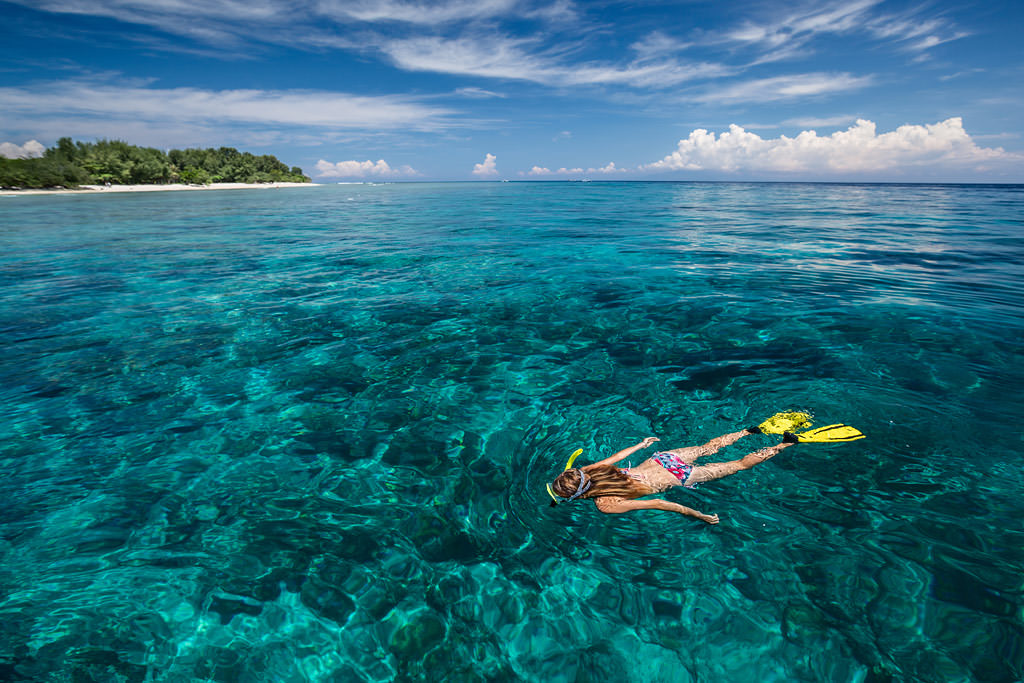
(616, 490)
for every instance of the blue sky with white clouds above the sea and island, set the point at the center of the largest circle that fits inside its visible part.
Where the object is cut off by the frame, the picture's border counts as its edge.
(503, 90)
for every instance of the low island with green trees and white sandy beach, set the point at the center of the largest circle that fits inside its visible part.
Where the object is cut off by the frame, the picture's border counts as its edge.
(71, 164)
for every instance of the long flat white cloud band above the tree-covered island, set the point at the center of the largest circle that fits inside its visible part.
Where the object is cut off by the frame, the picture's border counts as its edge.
(135, 103)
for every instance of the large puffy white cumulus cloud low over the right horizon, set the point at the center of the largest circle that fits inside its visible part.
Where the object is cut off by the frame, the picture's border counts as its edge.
(858, 150)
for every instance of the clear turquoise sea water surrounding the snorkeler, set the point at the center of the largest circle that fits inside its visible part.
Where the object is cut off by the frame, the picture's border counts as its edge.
(304, 435)
